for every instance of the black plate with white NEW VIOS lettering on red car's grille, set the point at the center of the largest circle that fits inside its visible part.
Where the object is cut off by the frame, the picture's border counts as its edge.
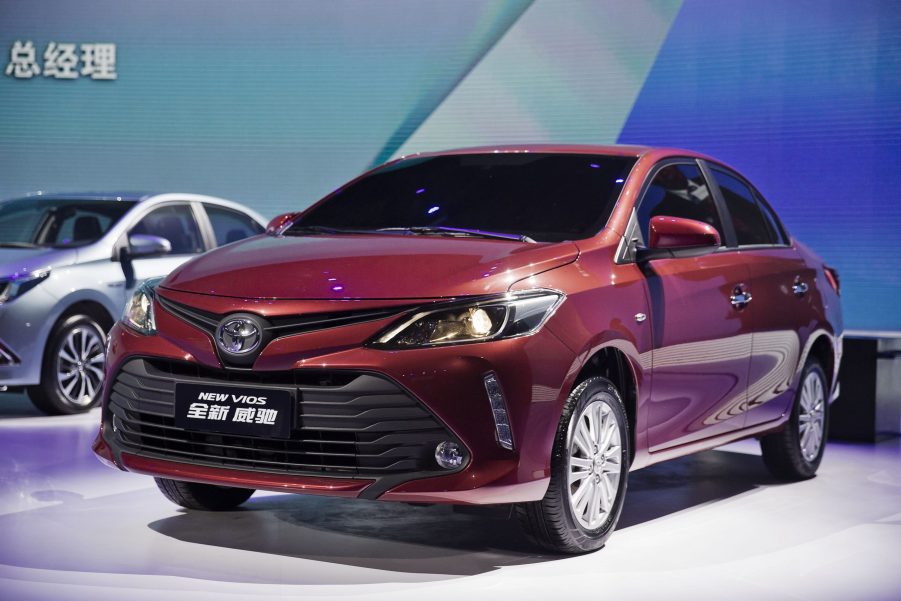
(245, 411)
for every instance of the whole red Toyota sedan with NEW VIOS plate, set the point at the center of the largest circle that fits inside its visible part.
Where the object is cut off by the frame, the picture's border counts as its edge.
(516, 326)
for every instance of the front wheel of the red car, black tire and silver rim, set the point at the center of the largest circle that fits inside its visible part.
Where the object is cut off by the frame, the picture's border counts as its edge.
(554, 523)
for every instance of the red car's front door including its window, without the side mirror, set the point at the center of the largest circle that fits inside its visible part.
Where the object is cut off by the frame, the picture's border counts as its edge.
(702, 340)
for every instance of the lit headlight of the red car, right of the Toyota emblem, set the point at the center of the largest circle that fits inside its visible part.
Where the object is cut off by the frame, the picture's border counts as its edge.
(507, 316)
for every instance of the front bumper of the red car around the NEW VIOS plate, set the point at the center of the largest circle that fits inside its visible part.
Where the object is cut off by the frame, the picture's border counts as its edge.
(442, 387)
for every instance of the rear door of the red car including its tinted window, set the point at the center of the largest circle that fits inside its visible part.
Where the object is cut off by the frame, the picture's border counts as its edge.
(781, 284)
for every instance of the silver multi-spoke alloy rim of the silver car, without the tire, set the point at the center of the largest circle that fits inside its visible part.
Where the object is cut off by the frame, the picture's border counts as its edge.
(79, 366)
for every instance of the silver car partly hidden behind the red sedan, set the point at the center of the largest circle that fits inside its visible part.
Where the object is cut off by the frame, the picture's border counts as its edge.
(68, 262)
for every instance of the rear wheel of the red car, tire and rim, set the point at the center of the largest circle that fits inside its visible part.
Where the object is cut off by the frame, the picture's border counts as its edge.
(791, 454)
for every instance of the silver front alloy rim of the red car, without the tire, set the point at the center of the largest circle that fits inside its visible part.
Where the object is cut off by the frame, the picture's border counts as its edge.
(595, 463)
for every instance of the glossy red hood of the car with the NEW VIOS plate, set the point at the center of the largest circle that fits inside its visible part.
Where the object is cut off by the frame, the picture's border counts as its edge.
(366, 267)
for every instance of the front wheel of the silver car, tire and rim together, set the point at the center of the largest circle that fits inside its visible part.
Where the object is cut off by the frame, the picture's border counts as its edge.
(77, 347)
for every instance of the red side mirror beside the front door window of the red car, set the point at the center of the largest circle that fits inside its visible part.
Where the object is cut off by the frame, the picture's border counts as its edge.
(671, 237)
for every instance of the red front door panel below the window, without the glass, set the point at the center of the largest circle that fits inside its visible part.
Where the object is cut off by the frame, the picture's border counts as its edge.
(702, 348)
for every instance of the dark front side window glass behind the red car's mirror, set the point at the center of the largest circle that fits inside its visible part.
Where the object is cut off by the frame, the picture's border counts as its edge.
(678, 191)
